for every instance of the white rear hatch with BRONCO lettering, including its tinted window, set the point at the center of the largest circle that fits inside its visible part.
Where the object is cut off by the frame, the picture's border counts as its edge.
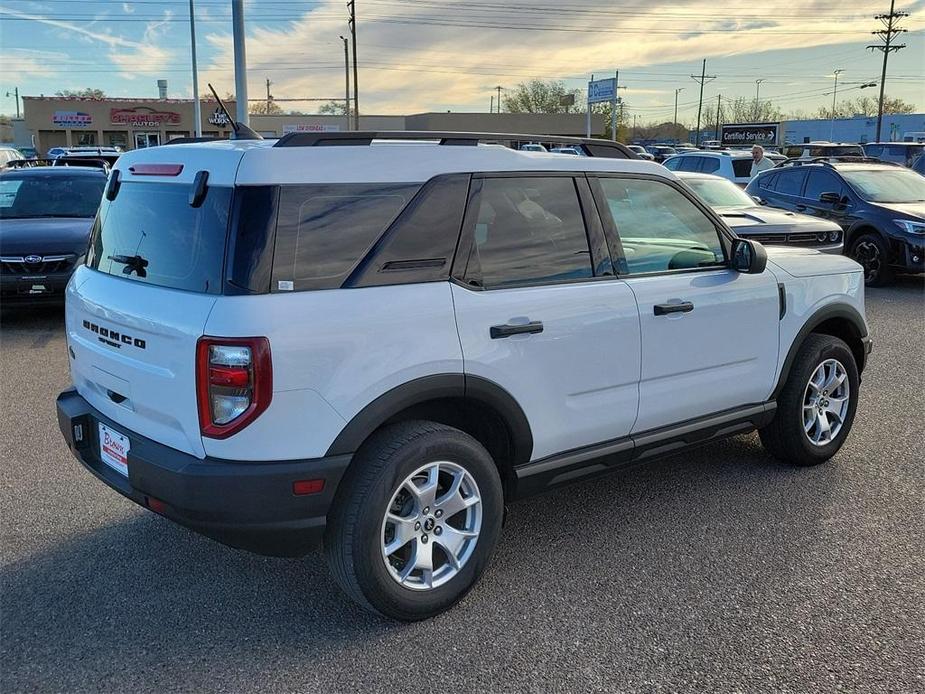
(154, 271)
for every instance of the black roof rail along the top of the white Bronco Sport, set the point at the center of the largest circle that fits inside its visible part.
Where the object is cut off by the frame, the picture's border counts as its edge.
(592, 147)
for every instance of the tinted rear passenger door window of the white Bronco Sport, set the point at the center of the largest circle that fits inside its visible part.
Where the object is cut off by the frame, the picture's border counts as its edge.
(528, 231)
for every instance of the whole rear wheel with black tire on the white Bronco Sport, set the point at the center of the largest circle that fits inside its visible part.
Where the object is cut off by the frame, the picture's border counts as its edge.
(415, 520)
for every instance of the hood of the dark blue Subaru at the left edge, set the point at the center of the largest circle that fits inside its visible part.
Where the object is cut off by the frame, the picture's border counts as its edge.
(44, 236)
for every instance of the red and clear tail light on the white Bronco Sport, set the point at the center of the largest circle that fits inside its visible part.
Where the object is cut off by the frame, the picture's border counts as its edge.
(234, 383)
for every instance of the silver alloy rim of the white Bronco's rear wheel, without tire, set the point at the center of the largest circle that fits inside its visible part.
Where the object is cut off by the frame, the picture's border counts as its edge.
(431, 525)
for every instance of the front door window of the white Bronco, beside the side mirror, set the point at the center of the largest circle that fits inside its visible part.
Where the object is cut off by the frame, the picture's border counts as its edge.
(660, 229)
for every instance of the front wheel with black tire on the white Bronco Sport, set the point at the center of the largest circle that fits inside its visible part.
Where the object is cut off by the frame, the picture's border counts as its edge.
(816, 407)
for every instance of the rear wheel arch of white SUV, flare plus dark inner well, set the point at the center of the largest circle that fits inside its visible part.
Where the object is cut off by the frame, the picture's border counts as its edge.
(475, 405)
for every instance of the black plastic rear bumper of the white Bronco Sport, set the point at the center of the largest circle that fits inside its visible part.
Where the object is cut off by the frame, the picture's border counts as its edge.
(249, 505)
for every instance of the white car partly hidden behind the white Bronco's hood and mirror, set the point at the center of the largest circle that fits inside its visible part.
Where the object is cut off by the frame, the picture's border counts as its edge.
(770, 226)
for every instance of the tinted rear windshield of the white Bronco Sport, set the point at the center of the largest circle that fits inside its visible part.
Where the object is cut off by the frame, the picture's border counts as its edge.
(151, 234)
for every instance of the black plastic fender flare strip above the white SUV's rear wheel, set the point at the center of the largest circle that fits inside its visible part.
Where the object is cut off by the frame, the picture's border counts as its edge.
(436, 387)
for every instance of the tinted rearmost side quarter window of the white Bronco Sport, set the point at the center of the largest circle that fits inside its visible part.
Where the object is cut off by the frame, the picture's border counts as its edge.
(324, 230)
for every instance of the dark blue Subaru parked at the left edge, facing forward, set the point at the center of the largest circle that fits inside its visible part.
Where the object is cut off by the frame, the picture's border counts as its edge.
(45, 219)
